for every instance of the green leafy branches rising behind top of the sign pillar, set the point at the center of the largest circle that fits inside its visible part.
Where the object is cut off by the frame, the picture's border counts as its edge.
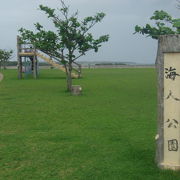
(164, 24)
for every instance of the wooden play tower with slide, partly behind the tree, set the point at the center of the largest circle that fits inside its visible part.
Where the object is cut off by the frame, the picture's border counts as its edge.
(28, 56)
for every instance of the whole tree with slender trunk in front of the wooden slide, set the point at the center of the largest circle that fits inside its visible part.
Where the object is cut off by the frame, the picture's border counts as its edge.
(70, 41)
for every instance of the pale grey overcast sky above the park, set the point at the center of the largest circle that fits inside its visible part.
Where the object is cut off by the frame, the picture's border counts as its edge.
(121, 17)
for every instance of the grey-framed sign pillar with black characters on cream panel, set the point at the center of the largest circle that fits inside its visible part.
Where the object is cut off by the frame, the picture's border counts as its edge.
(168, 136)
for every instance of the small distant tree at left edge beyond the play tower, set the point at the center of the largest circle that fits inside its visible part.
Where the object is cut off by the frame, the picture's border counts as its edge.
(5, 55)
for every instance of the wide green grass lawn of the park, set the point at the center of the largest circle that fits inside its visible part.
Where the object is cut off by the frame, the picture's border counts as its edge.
(105, 134)
